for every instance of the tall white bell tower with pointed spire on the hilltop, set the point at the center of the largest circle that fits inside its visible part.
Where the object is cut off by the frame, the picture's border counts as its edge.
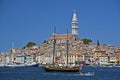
(74, 24)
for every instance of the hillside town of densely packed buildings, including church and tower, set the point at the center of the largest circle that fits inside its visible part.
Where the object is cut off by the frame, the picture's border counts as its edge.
(90, 54)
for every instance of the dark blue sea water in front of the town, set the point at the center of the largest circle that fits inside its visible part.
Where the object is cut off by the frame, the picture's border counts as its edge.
(38, 73)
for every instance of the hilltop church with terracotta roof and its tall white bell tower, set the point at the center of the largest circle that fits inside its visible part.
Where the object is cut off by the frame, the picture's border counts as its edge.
(62, 38)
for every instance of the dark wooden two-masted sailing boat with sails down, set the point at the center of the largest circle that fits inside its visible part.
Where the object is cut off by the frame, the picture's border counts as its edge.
(62, 68)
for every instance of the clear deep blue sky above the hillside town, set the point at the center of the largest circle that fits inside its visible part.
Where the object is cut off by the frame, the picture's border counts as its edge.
(22, 21)
